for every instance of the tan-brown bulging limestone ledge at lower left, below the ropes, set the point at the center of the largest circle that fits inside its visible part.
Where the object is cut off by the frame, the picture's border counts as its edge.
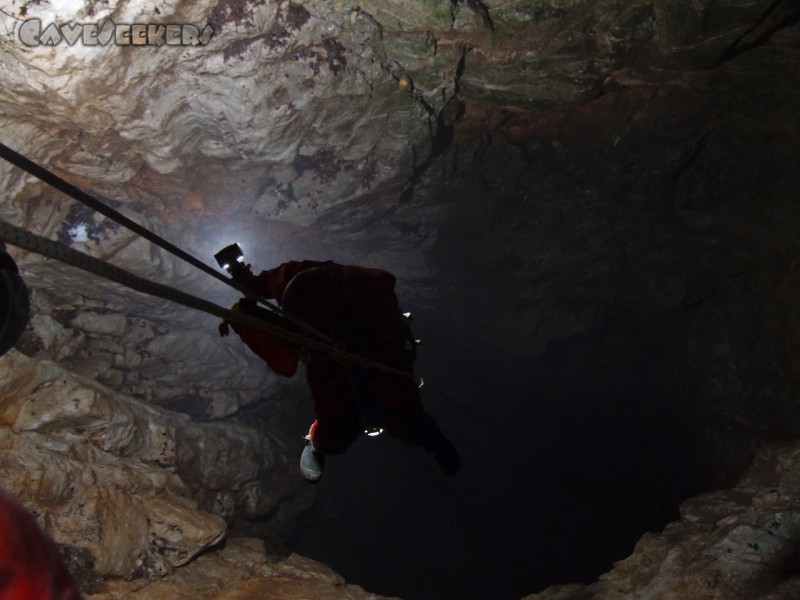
(143, 490)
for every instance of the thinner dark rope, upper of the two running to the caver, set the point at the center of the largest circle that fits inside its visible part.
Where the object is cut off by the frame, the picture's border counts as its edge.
(77, 194)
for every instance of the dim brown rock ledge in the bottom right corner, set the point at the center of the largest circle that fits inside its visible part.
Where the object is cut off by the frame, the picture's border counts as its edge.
(737, 543)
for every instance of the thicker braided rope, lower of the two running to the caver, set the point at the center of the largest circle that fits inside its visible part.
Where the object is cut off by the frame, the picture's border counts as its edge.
(55, 250)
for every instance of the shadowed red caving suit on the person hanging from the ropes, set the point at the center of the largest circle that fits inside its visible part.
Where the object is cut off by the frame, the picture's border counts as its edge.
(357, 308)
